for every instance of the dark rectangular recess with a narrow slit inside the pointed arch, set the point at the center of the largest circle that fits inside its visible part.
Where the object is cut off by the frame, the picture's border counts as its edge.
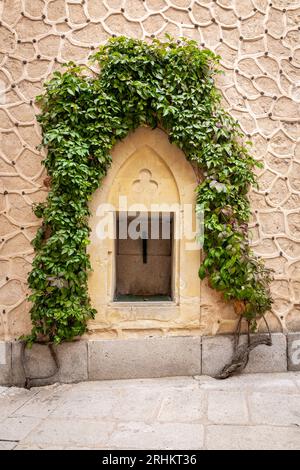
(144, 264)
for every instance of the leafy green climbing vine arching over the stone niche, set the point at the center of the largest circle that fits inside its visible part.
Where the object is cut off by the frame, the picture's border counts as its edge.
(168, 84)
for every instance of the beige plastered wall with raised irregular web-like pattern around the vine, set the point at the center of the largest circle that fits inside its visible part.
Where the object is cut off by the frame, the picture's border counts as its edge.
(259, 42)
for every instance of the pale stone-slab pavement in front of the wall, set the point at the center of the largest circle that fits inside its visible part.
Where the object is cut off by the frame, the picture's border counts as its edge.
(259, 411)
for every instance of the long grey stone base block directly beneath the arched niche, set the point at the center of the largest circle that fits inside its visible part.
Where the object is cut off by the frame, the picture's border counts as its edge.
(148, 357)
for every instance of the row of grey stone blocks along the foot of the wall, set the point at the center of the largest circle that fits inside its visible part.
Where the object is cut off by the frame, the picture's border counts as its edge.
(142, 358)
